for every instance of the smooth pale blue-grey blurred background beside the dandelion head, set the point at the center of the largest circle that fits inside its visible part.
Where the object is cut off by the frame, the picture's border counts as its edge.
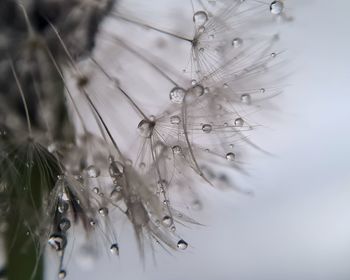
(297, 224)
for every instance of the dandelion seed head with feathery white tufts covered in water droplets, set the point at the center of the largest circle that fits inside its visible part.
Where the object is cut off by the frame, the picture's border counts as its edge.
(58, 171)
